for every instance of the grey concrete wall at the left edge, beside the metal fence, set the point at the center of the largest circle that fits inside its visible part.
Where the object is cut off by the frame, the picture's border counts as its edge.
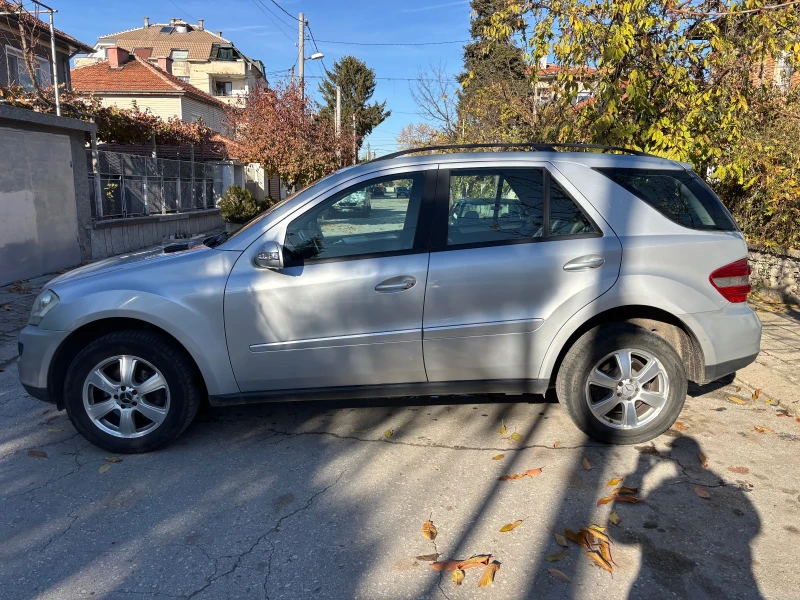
(43, 167)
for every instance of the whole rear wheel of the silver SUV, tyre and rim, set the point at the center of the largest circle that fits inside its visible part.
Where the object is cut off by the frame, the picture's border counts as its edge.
(622, 384)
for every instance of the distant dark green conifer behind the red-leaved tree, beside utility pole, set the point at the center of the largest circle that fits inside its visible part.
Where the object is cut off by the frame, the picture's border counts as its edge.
(357, 82)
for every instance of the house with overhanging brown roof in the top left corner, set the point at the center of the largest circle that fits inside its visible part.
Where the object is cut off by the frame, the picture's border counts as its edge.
(12, 66)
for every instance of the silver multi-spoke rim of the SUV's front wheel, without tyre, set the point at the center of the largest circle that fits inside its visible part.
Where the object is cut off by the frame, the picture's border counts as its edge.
(126, 396)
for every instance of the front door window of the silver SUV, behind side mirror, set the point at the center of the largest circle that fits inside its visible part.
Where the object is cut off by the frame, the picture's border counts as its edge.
(373, 217)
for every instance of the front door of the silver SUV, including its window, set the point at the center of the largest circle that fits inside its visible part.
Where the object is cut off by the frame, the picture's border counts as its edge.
(346, 310)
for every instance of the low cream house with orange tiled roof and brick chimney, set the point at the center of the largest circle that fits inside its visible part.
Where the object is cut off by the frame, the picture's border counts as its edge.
(131, 80)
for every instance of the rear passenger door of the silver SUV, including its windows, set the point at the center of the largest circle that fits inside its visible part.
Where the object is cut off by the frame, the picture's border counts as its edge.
(515, 252)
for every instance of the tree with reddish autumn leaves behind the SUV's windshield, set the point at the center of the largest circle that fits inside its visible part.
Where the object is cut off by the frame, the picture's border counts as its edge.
(278, 129)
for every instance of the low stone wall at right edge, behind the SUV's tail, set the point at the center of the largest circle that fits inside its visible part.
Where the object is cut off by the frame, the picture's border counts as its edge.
(775, 273)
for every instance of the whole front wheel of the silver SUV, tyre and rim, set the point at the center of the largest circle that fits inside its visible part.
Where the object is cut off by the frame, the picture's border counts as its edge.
(131, 391)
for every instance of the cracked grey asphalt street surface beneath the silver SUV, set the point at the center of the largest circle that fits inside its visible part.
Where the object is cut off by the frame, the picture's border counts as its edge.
(312, 500)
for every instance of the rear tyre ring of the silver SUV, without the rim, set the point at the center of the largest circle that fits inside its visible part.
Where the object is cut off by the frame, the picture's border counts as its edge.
(590, 349)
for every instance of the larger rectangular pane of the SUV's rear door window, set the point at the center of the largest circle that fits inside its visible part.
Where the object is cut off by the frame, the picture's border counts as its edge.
(495, 205)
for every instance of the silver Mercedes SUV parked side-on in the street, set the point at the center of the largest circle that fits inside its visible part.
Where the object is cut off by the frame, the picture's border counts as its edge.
(612, 277)
